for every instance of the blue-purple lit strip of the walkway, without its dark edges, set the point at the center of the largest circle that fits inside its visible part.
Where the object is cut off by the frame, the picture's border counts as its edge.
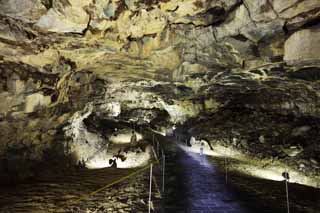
(206, 188)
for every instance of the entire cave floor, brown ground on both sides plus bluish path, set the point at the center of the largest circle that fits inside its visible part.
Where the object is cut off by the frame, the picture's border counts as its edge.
(193, 184)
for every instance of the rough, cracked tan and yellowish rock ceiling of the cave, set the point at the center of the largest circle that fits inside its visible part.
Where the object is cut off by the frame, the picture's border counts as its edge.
(152, 59)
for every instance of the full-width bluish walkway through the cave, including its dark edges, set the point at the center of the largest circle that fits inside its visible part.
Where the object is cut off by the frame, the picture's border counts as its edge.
(194, 185)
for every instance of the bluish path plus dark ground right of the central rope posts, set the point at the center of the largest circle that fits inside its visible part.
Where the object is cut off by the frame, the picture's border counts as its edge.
(197, 184)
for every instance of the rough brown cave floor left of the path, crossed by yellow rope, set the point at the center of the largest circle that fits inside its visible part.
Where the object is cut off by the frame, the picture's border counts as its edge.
(59, 193)
